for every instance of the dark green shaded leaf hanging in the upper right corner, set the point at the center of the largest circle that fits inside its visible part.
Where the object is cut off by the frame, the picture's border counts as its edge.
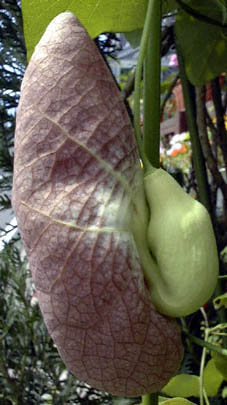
(204, 46)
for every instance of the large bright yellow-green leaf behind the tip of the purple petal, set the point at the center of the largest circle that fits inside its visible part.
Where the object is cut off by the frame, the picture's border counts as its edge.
(97, 16)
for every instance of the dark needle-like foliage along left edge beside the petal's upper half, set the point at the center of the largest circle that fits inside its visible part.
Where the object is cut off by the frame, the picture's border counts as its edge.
(12, 66)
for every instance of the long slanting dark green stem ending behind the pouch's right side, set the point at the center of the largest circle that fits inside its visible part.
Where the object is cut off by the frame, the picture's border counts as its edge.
(197, 154)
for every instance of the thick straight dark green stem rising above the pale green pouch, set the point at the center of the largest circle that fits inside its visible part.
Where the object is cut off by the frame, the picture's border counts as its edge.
(152, 71)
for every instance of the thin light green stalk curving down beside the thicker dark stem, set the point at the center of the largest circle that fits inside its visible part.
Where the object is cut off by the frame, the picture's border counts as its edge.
(149, 20)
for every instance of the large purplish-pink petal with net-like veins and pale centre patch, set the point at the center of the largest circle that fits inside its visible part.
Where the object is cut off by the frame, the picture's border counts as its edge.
(76, 169)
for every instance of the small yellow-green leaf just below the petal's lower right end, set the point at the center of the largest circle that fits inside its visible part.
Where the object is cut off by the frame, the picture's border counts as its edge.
(182, 385)
